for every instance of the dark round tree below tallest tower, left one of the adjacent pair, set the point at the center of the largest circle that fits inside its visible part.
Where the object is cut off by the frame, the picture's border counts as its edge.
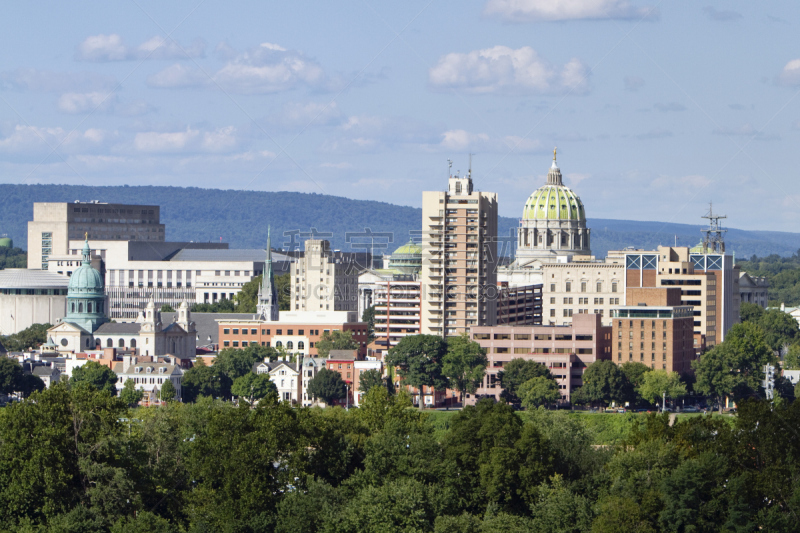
(418, 359)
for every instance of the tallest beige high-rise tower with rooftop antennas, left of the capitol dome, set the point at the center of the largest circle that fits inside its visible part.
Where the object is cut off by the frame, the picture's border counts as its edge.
(459, 258)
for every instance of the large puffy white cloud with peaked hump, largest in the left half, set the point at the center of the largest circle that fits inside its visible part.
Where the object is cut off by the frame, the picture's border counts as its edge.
(268, 68)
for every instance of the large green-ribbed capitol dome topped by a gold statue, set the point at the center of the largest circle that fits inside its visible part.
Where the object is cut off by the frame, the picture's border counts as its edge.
(553, 221)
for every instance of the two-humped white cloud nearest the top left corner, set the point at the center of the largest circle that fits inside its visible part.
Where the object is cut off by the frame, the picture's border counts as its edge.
(102, 48)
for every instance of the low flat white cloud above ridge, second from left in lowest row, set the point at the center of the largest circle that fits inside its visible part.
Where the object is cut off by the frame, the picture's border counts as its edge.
(191, 140)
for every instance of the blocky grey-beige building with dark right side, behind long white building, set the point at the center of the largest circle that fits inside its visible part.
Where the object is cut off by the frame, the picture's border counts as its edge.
(55, 224)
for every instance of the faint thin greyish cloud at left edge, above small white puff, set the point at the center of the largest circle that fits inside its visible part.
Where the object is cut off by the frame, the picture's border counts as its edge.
(30, 79)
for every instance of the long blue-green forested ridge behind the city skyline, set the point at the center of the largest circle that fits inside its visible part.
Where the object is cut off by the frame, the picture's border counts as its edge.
(241, 218)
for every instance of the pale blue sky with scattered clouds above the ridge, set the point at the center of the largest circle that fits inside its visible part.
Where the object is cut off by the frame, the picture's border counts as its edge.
(657, 108)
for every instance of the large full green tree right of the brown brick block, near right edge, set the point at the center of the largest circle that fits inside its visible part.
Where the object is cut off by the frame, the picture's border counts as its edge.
(734, 367)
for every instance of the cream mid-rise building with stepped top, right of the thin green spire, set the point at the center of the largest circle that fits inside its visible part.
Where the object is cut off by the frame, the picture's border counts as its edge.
(321, 283)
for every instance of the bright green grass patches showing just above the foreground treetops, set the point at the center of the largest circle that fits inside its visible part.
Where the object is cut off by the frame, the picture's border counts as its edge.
(606, 428)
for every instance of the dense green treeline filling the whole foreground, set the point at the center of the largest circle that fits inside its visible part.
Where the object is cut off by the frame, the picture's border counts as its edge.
(75, 459)
